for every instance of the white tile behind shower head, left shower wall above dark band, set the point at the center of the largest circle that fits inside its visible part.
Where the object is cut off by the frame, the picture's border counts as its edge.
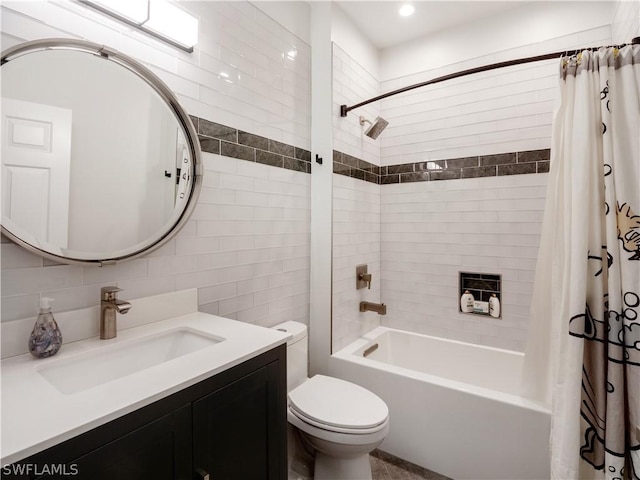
(352, 84)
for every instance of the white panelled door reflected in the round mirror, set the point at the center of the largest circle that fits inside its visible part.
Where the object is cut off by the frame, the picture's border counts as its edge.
(36, 160)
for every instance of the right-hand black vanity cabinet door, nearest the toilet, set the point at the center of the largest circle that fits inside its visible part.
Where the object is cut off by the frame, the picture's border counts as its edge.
(238, 432)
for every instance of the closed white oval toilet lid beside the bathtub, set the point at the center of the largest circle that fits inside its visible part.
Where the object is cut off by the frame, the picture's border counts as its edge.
(338, 403)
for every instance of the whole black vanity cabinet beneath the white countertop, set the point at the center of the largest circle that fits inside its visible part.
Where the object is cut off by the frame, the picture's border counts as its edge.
(229, 426)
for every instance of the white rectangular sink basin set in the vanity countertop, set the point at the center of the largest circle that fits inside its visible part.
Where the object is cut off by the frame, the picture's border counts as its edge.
(84, 371)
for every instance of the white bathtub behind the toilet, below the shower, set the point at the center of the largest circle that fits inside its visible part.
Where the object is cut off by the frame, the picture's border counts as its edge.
(454, 407)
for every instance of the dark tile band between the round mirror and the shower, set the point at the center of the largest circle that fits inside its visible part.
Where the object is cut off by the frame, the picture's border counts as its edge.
(231, 142)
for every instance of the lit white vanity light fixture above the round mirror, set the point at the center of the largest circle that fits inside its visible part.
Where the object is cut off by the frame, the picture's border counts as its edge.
(160, 18)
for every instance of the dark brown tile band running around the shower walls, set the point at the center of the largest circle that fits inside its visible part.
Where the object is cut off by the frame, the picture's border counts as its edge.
(515, 163)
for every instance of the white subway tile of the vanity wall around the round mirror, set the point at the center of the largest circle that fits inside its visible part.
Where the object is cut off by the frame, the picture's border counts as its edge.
(246, 248)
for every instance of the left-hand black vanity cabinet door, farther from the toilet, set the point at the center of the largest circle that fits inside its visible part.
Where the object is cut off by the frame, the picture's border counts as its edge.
(158, 450)
